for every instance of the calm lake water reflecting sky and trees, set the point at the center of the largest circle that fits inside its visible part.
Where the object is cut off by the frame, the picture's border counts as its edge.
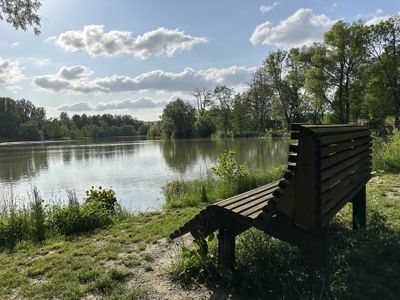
(137, 169)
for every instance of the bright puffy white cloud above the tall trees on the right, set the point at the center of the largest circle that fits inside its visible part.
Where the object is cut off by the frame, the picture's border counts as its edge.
(301, 28)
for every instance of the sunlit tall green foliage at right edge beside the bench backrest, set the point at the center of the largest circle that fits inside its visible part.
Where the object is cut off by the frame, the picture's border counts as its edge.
(386, 154)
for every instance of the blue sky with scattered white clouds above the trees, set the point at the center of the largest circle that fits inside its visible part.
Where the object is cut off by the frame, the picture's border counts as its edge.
(133, 57)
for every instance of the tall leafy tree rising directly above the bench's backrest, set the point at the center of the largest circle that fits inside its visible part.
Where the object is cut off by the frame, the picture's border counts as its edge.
(335, 66)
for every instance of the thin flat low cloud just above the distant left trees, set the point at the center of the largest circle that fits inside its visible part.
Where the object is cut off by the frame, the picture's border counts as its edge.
(127, 104)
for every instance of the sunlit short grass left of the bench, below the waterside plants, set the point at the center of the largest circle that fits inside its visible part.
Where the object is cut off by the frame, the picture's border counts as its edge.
(100, 263)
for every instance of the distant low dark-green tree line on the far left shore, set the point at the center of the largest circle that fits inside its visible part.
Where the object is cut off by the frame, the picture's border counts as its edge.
(22, 120)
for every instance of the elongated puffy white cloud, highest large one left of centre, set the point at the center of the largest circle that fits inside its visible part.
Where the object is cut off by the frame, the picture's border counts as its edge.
(96, 42)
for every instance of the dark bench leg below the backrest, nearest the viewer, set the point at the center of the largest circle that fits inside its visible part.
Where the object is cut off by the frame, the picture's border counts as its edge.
(318, 263)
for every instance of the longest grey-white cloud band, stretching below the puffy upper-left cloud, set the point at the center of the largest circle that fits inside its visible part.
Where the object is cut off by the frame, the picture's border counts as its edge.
(77, 79)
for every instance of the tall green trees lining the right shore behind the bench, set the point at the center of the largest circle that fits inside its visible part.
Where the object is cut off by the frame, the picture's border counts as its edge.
(353, 76)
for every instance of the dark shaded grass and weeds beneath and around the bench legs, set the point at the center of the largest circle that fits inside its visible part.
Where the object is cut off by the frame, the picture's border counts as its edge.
(364, 265)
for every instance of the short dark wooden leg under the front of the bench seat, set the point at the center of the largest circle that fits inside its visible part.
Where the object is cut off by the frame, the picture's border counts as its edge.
(226, 247)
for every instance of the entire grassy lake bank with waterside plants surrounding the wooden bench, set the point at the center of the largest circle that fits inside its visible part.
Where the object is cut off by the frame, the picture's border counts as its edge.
(120, 257)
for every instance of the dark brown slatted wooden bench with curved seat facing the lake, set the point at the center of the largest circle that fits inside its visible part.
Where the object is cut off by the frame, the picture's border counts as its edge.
(327, 167)
